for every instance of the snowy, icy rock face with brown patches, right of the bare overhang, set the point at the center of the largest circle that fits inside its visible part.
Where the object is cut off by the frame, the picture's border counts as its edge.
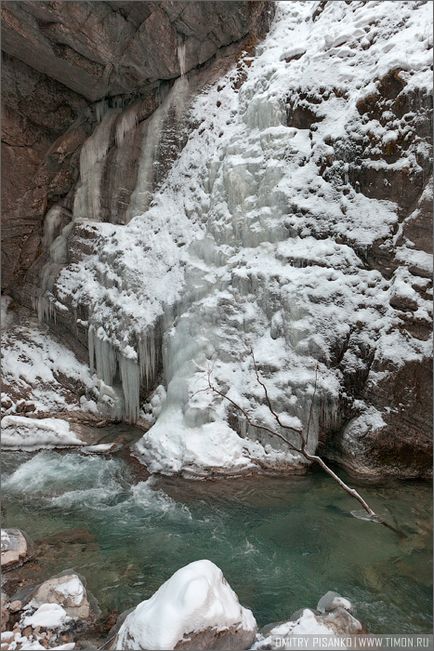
(292, 224)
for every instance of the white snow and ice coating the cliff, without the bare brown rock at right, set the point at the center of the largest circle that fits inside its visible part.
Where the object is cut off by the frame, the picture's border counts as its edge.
(248, 245)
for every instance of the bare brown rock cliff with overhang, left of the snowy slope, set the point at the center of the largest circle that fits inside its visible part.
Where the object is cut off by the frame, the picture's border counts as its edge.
(65, 65)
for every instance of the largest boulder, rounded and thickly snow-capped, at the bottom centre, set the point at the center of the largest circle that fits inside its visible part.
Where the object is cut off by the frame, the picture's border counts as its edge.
(195, 609)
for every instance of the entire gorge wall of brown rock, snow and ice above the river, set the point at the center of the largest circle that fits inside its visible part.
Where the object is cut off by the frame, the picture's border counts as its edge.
(178, 193)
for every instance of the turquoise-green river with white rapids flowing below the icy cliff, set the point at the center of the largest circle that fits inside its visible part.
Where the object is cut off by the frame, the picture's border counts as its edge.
(281, 543)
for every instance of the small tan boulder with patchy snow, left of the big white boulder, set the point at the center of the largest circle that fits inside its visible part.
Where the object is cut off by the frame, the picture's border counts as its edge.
(67, 591)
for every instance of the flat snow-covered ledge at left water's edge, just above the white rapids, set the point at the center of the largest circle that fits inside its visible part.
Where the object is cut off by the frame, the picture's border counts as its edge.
(20, 433)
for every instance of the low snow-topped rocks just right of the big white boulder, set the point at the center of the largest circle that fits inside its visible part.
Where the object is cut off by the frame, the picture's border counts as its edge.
(333, 617)
